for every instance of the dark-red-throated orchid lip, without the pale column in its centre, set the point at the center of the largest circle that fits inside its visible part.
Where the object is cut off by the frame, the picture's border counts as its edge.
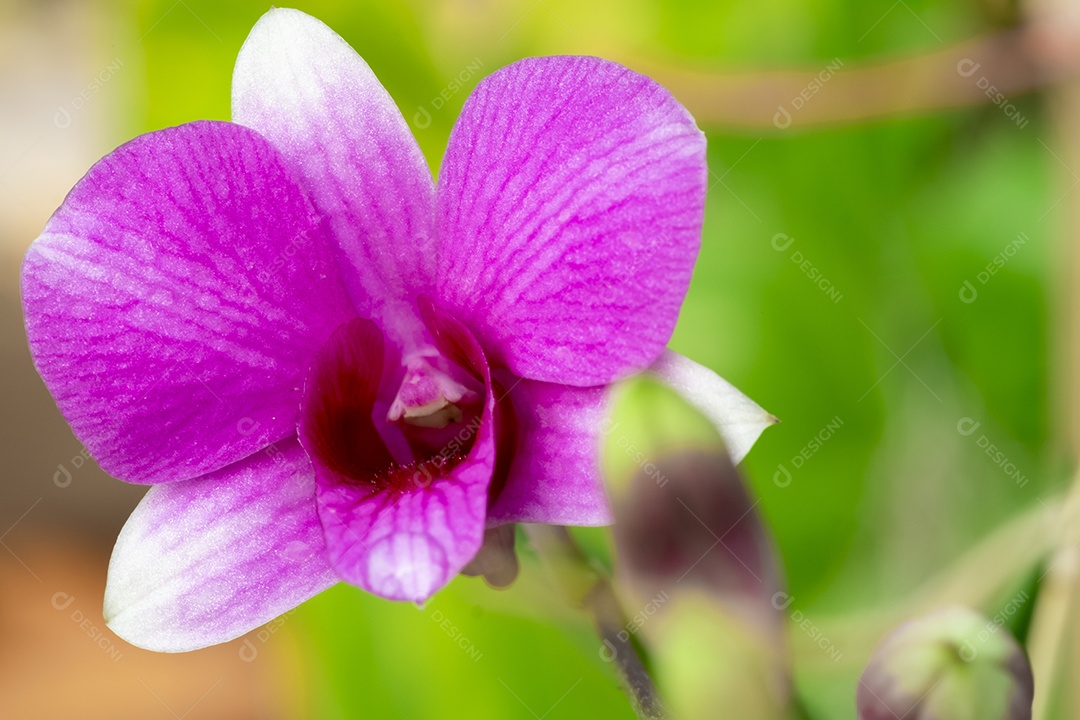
(401, 532)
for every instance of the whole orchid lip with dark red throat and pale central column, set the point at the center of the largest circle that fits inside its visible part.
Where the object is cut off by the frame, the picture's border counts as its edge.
(402, 506)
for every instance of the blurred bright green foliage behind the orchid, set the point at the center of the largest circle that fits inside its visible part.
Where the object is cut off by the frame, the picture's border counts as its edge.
(868, 485)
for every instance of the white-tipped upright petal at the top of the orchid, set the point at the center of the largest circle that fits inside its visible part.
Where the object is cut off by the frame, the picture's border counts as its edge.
(301, 86)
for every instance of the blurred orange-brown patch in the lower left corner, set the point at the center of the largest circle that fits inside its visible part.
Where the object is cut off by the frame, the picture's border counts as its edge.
(59, 660)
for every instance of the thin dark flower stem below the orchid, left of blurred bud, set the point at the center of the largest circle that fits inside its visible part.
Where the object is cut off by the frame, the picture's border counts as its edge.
(587, 587)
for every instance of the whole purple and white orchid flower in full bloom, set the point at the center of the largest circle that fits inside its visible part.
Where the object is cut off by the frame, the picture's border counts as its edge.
(331, 369)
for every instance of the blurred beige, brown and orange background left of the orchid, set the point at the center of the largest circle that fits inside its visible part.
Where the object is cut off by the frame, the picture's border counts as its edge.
(59, 512)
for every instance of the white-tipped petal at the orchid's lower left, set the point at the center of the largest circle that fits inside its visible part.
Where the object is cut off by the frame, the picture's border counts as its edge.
(204, 562)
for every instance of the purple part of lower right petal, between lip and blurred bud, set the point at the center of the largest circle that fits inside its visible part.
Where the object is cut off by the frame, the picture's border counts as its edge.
(556, 473)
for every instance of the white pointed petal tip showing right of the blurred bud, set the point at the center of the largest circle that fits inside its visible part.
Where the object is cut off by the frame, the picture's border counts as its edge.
(739, 419)
